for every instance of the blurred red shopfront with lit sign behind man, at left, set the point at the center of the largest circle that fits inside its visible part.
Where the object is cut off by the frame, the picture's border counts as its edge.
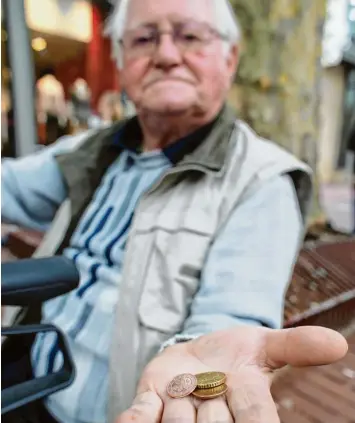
(75, 82)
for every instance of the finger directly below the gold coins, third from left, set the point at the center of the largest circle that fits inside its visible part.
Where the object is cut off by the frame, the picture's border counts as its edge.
(214, 411)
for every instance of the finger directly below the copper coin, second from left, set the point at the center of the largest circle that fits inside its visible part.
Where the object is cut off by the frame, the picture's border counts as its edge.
(179, 410)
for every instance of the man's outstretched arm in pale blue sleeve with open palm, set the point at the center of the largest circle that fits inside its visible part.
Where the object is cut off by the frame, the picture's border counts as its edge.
(243, 284)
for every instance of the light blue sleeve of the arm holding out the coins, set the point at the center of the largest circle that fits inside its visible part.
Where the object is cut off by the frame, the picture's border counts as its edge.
(250, 263)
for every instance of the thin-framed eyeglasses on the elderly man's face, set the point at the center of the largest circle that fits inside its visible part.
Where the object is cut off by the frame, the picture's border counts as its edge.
(188, 37)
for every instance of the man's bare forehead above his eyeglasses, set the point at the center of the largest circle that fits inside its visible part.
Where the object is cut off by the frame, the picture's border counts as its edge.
(142, 12)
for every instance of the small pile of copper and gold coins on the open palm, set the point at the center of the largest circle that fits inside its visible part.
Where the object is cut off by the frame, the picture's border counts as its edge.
(203, 386)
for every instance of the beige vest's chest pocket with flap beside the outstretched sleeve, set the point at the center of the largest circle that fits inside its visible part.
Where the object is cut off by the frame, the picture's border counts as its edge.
(172, 278)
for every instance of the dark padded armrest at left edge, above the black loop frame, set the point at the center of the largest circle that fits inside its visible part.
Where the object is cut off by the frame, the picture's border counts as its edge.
(33, 281)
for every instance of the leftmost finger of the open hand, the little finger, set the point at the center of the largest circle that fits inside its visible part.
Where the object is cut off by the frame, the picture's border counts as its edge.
(146, 408)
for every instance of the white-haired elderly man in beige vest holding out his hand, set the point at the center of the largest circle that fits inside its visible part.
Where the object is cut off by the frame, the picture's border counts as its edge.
(185, 227)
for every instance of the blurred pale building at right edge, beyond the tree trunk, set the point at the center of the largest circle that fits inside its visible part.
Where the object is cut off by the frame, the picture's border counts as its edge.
(338, 89)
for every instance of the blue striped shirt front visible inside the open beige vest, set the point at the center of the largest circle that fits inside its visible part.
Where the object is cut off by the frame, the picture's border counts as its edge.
(86, 315)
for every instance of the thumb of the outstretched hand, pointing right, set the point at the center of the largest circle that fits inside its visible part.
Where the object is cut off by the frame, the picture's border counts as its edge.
(304, 346)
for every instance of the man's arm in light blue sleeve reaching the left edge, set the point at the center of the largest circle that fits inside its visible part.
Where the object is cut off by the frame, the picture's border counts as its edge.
(32, 187)
